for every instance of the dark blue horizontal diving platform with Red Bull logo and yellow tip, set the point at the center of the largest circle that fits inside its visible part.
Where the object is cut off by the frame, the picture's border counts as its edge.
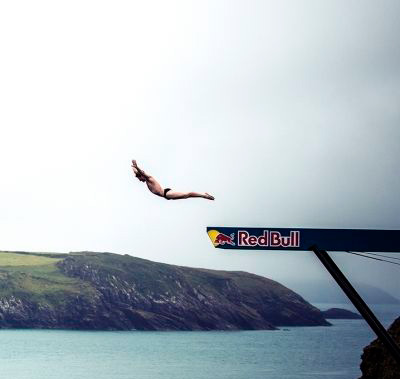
(269, 238)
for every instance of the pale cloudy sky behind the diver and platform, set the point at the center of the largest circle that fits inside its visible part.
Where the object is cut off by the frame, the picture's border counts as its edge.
(286, 111)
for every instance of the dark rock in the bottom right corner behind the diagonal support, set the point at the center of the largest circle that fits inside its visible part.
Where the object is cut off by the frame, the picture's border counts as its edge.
(377, 363)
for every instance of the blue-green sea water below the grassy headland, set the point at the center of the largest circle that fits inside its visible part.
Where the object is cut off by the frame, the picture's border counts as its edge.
(294, 352)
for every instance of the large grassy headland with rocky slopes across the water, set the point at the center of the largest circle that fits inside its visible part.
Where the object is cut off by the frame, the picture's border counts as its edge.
(105, 291)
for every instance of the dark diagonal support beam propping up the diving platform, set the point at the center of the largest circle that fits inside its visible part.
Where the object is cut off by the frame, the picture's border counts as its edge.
(358, 302)
